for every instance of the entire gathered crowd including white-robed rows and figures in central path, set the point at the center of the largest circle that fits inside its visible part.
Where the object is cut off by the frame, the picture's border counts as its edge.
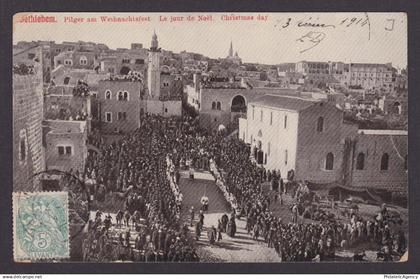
(143, 170)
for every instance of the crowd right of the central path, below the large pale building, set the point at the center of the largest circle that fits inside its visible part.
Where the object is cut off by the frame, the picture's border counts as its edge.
(297, 240)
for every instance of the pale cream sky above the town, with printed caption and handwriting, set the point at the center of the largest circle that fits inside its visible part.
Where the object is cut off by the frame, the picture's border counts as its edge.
(272, 38)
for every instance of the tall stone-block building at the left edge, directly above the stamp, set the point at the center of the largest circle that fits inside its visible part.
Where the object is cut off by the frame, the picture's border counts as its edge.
(28, 153)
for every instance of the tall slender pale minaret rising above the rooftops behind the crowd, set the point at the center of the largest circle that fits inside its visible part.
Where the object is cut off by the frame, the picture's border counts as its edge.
(153, 69)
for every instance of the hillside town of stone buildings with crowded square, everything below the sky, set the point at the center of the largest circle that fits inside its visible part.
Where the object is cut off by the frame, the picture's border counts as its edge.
(178, 157)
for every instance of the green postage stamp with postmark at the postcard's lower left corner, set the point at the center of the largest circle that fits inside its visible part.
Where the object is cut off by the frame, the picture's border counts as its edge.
(40, 226)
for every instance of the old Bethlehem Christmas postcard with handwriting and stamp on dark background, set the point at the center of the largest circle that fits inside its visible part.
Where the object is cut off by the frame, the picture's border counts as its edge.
(210, 137)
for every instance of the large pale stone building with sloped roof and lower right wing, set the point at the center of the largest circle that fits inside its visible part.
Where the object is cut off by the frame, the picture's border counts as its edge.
(310, 137)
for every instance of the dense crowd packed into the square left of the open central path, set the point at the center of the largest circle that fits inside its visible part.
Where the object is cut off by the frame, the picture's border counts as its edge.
(137, 168)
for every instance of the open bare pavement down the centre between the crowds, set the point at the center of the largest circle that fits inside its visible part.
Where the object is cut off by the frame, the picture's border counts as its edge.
(241, 248)
